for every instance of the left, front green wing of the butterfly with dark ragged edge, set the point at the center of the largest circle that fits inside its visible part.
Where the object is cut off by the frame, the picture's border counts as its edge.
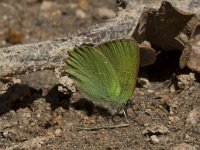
(94, 74)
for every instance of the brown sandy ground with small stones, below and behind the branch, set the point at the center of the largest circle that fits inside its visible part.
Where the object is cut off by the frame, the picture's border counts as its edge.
(163, 113)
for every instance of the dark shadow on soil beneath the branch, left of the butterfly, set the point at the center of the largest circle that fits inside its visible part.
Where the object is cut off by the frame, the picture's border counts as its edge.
(21, 96)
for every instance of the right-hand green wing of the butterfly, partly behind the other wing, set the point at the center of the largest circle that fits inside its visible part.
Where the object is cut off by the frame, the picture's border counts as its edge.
(124, 58)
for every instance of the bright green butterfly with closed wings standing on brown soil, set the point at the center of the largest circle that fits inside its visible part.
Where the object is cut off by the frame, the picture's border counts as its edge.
(107, 73)
